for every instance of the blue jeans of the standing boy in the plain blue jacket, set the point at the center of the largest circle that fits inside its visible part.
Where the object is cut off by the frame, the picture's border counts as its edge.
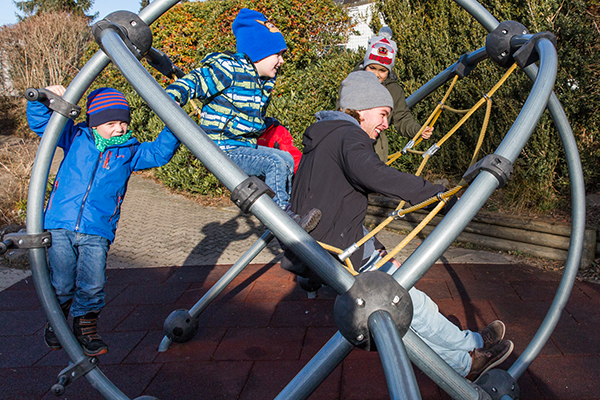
(77, 269)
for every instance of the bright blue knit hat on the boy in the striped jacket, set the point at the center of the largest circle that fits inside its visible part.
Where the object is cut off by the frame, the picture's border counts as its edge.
(256, 36)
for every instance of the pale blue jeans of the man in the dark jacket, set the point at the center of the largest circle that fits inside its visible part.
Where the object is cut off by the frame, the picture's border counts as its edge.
(450, 342)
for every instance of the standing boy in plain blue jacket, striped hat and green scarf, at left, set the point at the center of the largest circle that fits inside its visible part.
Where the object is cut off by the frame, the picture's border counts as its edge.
(85, 203)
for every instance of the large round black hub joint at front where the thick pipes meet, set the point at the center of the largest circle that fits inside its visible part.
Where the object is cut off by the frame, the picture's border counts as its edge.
(372, 291)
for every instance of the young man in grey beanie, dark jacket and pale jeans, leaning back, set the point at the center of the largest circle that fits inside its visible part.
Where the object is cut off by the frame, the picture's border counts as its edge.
(339, 168)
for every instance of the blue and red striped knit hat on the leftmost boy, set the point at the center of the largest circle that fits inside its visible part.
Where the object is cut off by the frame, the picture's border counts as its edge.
(105, 105)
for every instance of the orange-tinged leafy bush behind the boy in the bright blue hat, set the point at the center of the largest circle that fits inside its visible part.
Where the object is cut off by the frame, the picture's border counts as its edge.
(315, 66)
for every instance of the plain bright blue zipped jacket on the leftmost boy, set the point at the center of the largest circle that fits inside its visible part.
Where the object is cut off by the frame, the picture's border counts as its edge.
(90, 185)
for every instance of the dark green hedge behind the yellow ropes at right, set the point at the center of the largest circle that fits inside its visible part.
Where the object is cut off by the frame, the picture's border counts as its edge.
(433, 34)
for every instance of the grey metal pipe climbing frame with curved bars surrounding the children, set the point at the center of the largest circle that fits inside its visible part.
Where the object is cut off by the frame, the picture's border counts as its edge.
(385, 326)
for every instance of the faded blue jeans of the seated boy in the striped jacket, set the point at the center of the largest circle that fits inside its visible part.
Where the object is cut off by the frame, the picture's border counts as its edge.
(275, 166)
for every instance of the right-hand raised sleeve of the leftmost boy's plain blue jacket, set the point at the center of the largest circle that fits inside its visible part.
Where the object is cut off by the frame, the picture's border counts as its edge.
(156, 153)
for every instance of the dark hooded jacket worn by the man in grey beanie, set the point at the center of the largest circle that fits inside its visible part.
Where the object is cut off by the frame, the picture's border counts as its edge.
(338, 170)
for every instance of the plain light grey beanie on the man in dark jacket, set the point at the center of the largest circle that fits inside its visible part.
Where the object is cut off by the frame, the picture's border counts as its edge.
(361, 90)
